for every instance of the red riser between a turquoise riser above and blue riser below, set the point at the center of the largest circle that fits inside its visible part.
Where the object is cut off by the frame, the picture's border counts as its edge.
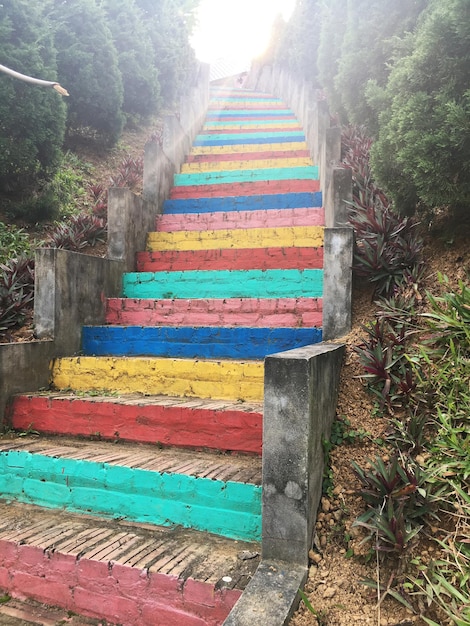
(244, 189)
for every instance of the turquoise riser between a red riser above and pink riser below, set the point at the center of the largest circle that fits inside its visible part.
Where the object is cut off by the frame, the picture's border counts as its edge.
(224, 284)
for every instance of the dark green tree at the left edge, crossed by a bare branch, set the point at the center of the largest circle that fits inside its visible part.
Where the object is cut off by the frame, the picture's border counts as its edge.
(32, 119)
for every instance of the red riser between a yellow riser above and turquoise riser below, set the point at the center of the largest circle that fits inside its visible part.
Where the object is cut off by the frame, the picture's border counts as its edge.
(230, 259)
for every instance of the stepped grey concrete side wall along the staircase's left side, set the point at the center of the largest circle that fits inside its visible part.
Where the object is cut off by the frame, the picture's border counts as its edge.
(71, 288)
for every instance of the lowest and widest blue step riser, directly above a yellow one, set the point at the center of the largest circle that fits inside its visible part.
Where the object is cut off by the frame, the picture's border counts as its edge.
(188, 342)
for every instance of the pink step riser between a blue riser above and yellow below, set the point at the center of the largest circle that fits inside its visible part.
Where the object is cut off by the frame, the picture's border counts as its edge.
(314, 216)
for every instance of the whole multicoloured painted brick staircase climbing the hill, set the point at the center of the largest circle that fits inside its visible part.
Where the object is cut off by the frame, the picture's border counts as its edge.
(140, 500)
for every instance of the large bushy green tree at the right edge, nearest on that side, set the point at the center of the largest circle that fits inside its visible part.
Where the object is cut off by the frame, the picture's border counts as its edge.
(423, 147)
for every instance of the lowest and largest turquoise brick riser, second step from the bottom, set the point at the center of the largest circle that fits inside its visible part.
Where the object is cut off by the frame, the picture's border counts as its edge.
(227, 508)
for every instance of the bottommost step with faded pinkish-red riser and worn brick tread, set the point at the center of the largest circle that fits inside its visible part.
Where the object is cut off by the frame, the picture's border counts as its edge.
(128, 574)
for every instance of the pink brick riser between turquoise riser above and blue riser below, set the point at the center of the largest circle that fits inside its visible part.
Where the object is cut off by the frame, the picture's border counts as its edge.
(255, 312)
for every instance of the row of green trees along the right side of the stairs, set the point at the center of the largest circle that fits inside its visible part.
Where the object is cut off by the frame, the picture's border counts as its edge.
(401, 70)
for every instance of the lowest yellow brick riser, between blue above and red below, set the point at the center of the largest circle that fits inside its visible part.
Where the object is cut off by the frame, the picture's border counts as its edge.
(221, 380)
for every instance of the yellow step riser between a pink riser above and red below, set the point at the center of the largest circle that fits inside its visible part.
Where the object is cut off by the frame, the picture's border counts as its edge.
(284, 237)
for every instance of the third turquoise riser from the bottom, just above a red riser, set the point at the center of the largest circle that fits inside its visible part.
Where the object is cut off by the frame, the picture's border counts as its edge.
(309, 172)
